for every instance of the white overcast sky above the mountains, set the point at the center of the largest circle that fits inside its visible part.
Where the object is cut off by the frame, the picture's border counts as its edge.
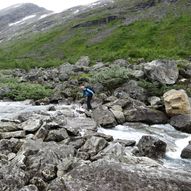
(54, 5)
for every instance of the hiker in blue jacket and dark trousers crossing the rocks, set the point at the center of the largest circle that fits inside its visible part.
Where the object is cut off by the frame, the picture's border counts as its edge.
(88, 92)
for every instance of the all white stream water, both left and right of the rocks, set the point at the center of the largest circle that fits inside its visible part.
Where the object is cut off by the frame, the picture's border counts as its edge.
(175, 140)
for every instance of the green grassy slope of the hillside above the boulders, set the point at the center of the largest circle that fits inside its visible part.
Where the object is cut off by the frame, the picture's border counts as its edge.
(166, 38)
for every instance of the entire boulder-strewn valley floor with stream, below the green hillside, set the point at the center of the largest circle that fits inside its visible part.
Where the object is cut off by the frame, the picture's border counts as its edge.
(136, 138)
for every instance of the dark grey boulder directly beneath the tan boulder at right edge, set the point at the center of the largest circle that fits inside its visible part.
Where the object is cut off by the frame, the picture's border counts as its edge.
(181, 122)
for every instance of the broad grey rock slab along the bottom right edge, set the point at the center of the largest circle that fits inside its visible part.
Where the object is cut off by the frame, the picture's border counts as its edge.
(106, 176)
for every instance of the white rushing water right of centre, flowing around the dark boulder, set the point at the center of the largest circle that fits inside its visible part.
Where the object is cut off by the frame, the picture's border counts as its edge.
(176, 140)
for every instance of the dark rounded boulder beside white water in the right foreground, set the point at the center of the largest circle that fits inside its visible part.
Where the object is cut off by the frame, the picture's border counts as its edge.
(151, 147)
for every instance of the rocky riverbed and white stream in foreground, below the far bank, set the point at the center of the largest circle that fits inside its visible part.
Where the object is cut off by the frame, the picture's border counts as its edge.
(56, 147)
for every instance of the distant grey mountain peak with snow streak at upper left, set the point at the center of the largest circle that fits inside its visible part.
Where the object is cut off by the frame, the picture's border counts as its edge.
(15, 19)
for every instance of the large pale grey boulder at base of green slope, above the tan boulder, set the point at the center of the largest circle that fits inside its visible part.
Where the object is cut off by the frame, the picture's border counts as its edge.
(165, 72)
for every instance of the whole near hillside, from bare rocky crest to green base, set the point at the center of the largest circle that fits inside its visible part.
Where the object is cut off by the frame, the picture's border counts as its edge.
(105, 31)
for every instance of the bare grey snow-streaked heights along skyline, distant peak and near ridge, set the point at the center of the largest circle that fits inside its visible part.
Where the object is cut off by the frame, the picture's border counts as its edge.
(21, 19)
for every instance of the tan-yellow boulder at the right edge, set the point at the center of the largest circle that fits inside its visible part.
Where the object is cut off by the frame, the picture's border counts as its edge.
(176, 102)
